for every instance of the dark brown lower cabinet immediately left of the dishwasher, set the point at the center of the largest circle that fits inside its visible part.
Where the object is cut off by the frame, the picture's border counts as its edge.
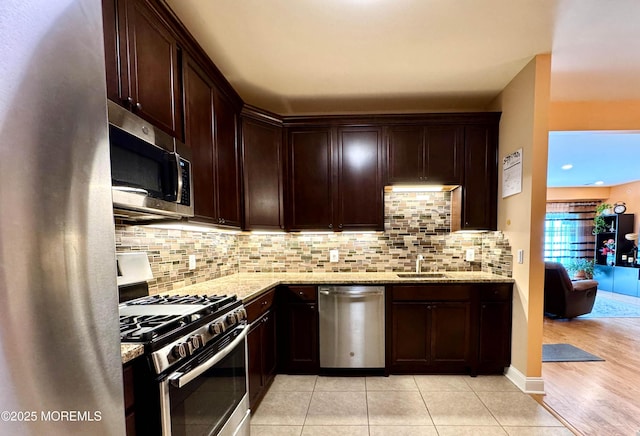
(299, 330)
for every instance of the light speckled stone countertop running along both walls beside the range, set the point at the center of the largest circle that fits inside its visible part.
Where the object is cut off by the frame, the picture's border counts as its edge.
(248, 286)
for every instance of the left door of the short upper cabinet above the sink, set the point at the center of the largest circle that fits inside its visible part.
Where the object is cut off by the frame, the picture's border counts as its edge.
(405, 154)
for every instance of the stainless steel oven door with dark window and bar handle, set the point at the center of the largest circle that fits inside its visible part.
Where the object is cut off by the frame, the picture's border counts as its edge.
(209, 397)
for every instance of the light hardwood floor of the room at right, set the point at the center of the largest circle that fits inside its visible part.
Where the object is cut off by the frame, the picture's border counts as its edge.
(596, 398)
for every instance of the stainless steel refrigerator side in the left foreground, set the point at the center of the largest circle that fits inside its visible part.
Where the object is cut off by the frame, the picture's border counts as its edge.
(60, 370)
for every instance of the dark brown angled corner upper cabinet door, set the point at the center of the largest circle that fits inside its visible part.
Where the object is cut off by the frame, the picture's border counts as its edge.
(262, 171)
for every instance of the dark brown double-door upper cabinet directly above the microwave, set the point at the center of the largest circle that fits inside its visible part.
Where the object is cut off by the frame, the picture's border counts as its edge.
(142, 63)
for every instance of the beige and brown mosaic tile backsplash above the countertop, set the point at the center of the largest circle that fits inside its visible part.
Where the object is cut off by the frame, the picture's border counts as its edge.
(415, 223)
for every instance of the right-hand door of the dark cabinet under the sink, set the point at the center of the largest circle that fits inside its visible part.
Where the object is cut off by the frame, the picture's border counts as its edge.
(450, 334)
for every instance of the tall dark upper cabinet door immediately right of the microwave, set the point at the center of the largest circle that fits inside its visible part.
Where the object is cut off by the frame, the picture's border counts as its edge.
(198, 105)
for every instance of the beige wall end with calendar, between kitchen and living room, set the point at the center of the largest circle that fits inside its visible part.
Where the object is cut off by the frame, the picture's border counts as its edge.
(524, 124)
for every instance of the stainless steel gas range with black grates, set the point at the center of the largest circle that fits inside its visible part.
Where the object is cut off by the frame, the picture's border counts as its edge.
(194, 377)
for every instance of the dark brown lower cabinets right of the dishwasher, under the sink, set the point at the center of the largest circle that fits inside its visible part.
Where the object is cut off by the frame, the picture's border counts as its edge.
(457, 329)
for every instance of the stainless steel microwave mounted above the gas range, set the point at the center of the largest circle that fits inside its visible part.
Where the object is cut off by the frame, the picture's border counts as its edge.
(150, 176)
